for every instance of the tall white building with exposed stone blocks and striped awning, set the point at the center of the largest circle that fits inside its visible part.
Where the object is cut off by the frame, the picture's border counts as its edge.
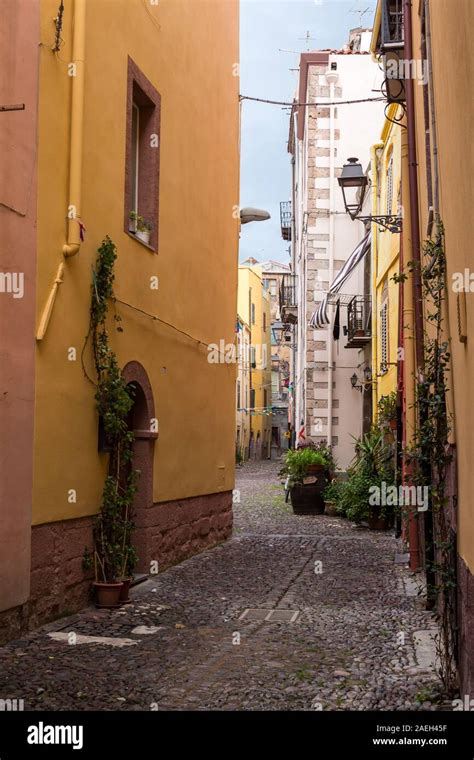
(322, 137)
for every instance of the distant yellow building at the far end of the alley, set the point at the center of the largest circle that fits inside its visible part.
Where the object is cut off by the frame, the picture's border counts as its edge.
(254, 309)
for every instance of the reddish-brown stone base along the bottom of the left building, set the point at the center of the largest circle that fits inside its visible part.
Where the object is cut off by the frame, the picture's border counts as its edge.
(166, 533)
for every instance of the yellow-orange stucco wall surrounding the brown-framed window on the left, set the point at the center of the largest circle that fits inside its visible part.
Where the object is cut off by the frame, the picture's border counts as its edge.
(188, 51)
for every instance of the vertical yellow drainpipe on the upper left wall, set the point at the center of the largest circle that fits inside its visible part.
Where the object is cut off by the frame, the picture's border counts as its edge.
(71, 248)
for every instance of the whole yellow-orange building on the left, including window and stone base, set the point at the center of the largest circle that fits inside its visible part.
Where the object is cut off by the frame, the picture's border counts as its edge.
(137, 111)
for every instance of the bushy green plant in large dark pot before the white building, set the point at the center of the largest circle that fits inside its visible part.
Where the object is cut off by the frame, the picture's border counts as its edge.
(306, 477)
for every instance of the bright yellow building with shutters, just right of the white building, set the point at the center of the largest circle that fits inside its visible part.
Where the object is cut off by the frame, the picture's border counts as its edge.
(386, 200)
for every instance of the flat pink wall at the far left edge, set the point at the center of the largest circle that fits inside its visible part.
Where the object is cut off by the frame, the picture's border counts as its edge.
(19, 61)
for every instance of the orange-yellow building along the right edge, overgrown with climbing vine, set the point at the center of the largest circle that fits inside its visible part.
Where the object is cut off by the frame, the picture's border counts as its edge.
(438, 189)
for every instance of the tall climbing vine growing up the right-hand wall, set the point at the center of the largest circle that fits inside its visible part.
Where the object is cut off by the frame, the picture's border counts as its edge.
(432, 457)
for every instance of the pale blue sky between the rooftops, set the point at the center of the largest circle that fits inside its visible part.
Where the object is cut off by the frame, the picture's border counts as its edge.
(266, 27)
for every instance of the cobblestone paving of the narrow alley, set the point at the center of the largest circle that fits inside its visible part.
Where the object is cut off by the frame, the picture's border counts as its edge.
(351, 646)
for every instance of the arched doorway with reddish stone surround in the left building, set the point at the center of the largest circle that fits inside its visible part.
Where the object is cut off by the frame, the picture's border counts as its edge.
(142, 422)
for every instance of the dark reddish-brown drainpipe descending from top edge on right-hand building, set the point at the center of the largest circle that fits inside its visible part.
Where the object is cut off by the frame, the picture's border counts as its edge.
(416, 257)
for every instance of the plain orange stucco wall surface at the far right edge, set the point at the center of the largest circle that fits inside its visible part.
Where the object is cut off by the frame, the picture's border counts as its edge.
(452, 22)
